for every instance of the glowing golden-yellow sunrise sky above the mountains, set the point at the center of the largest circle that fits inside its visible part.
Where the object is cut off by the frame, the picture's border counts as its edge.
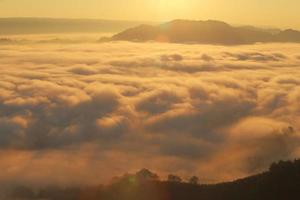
(274, 13)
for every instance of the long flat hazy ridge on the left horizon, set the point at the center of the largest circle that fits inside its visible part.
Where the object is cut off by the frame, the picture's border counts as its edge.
(51, 25)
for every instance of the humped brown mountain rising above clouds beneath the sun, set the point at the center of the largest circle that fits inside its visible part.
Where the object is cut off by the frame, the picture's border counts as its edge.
(205, 32)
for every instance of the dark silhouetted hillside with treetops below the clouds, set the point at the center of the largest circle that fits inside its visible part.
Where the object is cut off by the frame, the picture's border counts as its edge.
(281, 182)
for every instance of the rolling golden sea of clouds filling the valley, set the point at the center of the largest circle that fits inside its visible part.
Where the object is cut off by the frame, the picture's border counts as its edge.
(85, 112)
